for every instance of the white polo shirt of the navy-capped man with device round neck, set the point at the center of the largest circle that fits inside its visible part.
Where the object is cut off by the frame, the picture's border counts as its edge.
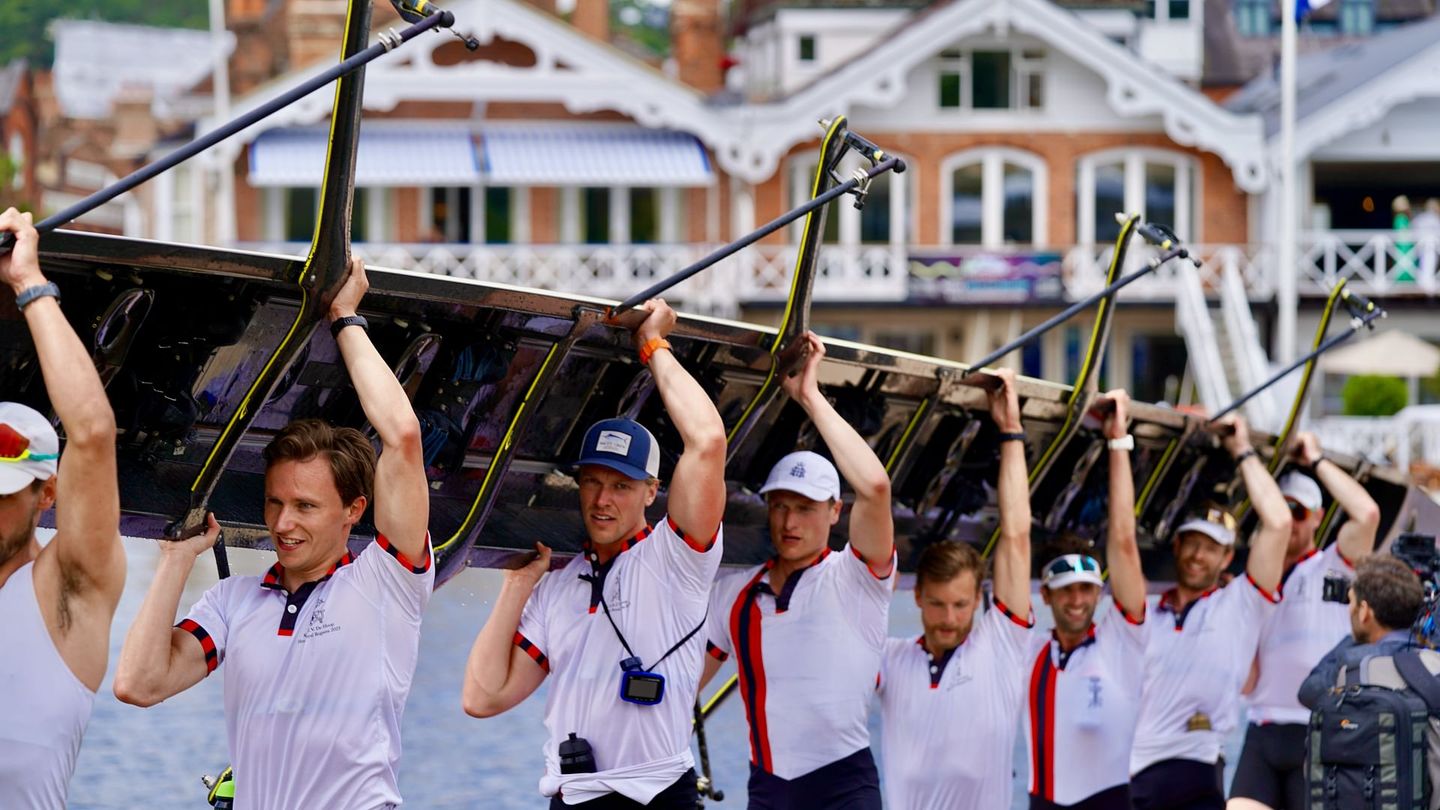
(657, 590)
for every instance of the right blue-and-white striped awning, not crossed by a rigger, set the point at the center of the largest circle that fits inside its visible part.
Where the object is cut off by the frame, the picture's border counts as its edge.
(600, 155)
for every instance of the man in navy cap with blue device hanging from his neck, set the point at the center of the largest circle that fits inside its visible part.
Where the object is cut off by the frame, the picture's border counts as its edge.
(617, 631)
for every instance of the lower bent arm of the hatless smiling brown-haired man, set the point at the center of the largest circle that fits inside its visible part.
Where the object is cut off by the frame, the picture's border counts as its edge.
(159, 659)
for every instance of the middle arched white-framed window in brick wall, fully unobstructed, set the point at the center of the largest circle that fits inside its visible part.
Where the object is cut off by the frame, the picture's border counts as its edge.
(993, 198)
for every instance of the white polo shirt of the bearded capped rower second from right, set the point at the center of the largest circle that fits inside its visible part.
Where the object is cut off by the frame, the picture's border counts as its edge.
(1196, 664)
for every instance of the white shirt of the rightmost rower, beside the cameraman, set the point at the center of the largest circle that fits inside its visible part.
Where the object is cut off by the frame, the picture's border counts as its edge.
(1298, 636)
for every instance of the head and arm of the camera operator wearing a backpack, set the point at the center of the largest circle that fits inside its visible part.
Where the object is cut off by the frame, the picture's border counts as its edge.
(1385, 603)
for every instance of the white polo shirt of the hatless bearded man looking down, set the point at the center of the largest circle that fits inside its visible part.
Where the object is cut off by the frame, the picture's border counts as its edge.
(948, 727)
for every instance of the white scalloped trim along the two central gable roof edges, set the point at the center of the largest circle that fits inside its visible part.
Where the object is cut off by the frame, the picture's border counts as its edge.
(750, 141)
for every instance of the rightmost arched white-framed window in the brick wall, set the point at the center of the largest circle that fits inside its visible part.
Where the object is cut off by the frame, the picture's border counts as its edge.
(1161, 187)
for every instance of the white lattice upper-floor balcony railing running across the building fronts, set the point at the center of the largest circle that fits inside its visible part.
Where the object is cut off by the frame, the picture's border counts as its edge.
(1377, 263)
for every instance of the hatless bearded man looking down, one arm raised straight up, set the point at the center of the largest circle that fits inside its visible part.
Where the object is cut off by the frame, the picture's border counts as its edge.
(951, 700)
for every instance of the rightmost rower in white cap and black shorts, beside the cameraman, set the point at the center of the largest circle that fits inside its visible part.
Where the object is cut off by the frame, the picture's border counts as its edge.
(1271, 773)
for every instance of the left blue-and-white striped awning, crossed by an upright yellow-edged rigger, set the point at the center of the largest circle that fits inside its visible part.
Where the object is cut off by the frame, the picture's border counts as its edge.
(390, 156)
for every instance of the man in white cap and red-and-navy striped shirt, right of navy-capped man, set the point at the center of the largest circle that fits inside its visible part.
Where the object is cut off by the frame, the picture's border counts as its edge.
(807, 628)
